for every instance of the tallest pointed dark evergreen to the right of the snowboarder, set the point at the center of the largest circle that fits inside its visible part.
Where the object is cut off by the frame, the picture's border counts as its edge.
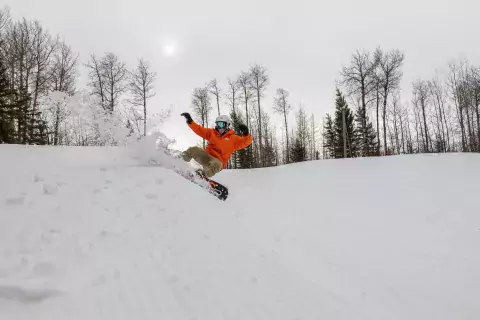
(351, 143)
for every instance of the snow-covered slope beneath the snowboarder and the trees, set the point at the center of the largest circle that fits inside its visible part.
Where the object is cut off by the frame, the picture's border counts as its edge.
(92, 233)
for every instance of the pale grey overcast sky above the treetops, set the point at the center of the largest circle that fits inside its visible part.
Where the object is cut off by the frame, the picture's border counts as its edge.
(303, 44)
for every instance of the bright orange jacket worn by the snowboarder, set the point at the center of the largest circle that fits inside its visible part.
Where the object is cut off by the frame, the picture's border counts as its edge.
(221, 147)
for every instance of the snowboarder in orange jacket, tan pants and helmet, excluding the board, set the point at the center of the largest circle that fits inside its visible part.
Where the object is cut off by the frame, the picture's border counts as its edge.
(222, 142)
